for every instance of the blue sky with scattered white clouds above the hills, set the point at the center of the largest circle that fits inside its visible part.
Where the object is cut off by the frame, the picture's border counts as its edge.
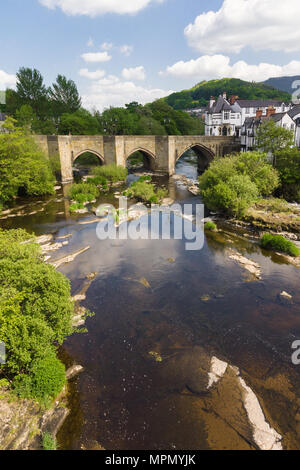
(169, 44)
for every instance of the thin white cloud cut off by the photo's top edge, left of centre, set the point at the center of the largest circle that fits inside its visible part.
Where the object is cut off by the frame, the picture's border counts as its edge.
(98, 7)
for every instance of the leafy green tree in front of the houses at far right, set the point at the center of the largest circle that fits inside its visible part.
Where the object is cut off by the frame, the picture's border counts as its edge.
(272, 138)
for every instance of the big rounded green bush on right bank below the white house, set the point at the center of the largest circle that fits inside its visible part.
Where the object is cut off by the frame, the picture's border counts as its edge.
(232, 184)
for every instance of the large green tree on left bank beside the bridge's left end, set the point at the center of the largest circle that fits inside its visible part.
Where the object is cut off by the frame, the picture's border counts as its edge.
(22, 164)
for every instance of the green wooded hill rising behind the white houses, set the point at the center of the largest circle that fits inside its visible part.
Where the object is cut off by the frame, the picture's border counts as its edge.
(200, 94)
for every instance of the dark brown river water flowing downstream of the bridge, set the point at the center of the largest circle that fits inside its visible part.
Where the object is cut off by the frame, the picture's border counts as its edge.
(159, 312)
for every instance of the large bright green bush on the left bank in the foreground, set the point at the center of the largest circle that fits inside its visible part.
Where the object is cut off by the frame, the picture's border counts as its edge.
(36, 310)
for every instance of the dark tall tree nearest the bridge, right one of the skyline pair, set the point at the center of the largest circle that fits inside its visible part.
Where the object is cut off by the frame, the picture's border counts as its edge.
(65, 96)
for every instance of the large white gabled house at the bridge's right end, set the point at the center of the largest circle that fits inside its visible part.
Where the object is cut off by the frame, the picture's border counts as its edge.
(227, 116)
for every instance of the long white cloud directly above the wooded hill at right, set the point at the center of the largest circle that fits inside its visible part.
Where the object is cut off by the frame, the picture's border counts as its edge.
(218, 66)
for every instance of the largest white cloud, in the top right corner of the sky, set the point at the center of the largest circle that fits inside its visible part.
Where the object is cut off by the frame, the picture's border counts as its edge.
(260, 24)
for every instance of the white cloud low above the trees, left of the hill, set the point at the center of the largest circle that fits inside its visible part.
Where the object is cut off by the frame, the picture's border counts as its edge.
(111, 91)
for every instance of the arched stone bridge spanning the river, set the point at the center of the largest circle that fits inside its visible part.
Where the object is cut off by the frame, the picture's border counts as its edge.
(160, 152)
